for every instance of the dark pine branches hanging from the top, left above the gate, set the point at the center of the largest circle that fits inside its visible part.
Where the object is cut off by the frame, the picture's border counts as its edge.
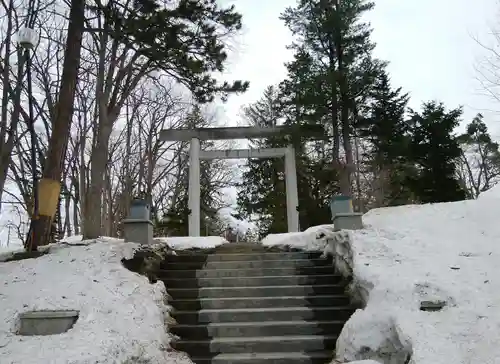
(186, 40)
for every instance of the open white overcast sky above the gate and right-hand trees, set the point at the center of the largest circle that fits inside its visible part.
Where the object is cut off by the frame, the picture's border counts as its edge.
(429, 44)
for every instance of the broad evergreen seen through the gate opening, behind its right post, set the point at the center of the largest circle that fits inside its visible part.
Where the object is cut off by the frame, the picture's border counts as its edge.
(263, 189)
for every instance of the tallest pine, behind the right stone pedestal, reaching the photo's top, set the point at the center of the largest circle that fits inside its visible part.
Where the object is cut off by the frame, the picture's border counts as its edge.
(335, 44)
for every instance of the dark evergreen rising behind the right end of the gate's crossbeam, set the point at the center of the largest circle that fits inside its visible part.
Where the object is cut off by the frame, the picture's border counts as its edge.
(317, 180)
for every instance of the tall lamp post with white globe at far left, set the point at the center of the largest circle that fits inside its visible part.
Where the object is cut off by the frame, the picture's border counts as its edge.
(28, 39)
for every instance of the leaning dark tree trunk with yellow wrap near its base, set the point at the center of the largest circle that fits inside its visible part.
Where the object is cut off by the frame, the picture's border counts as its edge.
(50, 184)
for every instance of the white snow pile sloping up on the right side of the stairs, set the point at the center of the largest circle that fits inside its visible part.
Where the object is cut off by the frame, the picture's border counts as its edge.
(444, 254)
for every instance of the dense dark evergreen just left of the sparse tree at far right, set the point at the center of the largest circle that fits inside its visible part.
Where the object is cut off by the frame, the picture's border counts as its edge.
(435, 151)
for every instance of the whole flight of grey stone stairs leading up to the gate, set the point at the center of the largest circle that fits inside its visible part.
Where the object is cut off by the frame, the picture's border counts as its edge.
(242, 304)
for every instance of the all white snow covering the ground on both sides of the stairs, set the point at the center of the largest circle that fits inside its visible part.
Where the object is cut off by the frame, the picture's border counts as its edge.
(405, 255)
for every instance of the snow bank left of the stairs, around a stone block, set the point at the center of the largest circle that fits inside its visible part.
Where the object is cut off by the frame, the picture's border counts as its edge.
(122, 316)
